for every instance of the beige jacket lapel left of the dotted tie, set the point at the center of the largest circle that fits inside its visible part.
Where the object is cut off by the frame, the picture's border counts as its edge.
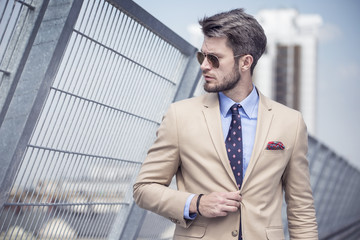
(212, 117)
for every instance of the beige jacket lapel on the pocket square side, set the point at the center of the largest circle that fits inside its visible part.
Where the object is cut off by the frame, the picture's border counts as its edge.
(265, 117)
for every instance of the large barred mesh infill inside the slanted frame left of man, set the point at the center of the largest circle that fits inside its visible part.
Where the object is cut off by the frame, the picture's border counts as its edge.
(113, 84)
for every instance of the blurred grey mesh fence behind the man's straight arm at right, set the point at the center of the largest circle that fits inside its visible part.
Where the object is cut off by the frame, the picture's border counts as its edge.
(336, 188)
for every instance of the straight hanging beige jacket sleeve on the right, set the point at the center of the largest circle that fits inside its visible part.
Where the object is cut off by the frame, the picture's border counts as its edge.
(298, 194)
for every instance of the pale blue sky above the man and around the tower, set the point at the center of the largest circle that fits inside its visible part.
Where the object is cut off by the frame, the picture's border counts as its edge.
(338, 87)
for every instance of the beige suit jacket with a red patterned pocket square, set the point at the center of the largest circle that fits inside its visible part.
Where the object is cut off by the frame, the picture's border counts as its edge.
(190, 144)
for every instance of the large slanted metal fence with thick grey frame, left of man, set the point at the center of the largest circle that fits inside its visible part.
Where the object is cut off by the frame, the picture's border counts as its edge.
(100, 82)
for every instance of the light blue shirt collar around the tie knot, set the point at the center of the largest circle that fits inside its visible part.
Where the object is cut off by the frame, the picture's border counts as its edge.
(249, 104)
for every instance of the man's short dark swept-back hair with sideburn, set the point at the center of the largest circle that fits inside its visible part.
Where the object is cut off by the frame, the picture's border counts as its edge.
(244, 34)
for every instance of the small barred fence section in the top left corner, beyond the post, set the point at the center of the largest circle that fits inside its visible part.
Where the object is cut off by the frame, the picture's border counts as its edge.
(17, 20)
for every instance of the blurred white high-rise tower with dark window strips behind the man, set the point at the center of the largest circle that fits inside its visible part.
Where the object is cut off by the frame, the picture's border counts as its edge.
(287, 72)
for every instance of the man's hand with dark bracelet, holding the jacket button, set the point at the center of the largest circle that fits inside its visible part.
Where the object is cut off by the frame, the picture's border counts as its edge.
(217, 204)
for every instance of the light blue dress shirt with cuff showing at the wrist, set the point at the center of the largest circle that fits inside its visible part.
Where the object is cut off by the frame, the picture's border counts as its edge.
(248, 114)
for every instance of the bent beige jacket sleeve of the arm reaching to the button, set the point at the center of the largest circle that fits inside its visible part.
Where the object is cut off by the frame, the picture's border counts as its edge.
(151, 190)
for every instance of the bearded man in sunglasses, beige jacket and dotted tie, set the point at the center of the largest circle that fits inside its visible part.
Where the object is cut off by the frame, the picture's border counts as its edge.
(233, 150)
